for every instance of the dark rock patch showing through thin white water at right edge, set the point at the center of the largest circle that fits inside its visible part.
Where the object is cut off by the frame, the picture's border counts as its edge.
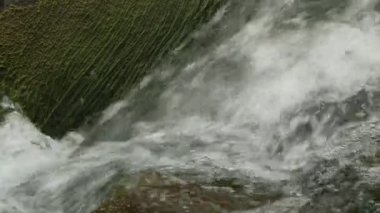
(327, 118)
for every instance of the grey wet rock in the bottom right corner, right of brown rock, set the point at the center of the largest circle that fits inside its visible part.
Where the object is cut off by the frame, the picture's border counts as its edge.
(348, 183)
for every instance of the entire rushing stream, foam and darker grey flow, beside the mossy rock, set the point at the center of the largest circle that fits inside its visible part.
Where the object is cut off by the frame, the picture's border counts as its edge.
(288, 88)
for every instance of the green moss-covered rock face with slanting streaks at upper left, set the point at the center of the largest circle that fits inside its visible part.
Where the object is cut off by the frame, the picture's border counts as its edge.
(63, 60)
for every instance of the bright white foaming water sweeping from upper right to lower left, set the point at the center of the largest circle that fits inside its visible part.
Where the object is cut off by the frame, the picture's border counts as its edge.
(222, 111)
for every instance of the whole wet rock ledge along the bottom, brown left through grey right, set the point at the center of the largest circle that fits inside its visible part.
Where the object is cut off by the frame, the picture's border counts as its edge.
(341, 182)
